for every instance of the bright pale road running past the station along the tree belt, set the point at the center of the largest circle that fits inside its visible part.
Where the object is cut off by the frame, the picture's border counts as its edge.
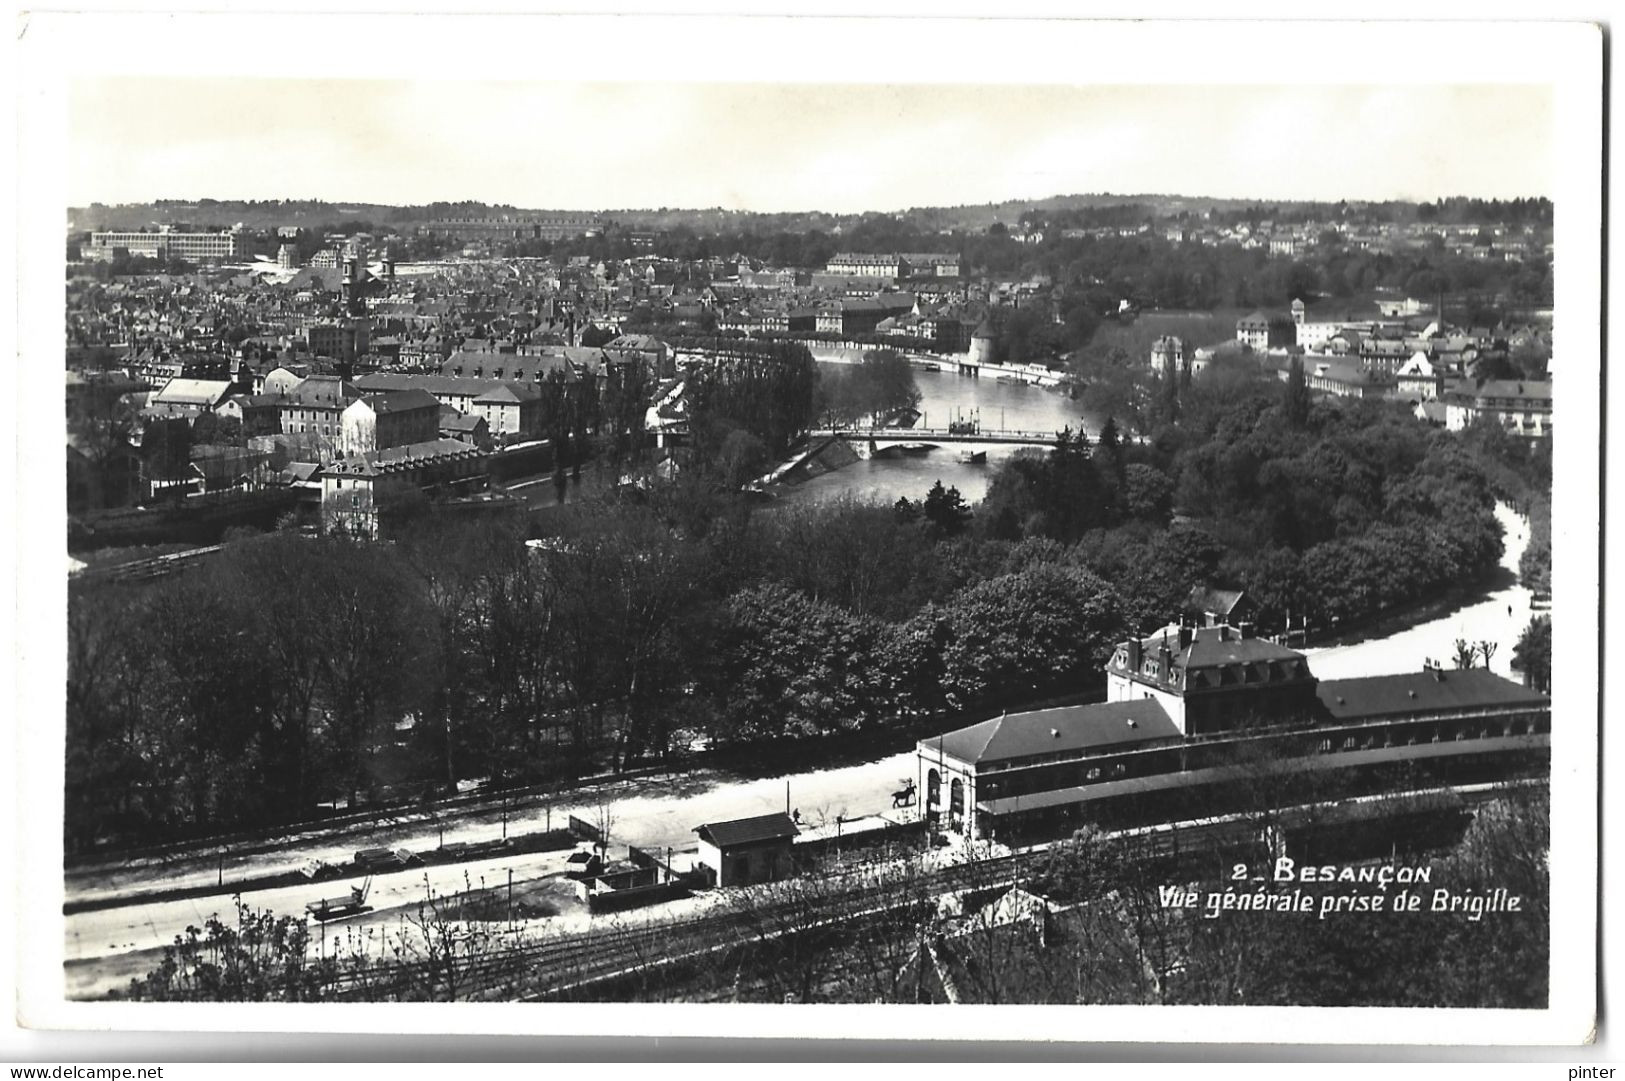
(659, 814)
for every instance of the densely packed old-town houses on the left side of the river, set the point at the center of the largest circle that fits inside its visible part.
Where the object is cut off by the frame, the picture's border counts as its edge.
(306, 371)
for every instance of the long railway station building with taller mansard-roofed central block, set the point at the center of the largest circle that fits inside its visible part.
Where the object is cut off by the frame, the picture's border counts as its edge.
(1202, 708)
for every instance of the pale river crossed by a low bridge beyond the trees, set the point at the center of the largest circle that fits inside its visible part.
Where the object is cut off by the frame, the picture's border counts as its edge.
(948, 397)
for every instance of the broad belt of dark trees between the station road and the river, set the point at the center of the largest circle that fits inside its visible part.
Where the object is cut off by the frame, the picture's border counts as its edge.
(295, 671)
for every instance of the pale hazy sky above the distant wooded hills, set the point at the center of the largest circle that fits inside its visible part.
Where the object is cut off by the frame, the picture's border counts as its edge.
(782, 147)
